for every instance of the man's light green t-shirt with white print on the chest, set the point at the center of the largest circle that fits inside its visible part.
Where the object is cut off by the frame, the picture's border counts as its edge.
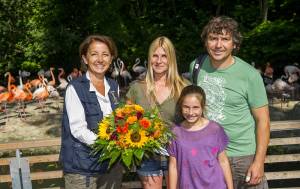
(231, 94)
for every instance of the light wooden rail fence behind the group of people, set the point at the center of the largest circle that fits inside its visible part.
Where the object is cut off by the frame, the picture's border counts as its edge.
(44, 175)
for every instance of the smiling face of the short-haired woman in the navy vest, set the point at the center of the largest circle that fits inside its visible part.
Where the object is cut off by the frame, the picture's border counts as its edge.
(98, 58)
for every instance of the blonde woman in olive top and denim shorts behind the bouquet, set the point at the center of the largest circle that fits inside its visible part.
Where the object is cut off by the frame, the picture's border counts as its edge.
(161, 88)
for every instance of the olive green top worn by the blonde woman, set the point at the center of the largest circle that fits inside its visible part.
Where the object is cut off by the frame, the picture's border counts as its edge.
(137, 94)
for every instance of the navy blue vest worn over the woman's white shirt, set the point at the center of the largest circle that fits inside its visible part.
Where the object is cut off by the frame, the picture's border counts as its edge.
(76, 156)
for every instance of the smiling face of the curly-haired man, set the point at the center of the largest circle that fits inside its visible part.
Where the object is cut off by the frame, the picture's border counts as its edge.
(220, 47)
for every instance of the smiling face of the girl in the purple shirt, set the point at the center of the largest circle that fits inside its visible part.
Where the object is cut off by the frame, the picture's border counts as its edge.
(191, 109)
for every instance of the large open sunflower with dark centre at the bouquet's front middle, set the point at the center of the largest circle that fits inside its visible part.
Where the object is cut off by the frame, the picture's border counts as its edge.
(136, 139)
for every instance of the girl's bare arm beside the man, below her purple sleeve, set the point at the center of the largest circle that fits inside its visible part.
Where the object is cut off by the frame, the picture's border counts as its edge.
(224, 163)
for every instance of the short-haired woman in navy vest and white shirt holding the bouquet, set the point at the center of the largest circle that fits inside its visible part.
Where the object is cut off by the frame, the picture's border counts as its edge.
(88, 99)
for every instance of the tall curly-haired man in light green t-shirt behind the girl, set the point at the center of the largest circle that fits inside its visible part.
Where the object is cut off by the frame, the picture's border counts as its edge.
(236, 98)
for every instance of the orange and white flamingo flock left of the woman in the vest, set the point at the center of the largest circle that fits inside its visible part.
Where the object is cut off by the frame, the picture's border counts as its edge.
(39, 89)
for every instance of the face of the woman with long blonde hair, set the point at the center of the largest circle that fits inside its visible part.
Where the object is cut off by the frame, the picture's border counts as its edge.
(159, 61)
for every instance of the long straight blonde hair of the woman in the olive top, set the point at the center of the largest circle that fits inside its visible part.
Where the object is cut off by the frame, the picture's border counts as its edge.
(174, 81)
